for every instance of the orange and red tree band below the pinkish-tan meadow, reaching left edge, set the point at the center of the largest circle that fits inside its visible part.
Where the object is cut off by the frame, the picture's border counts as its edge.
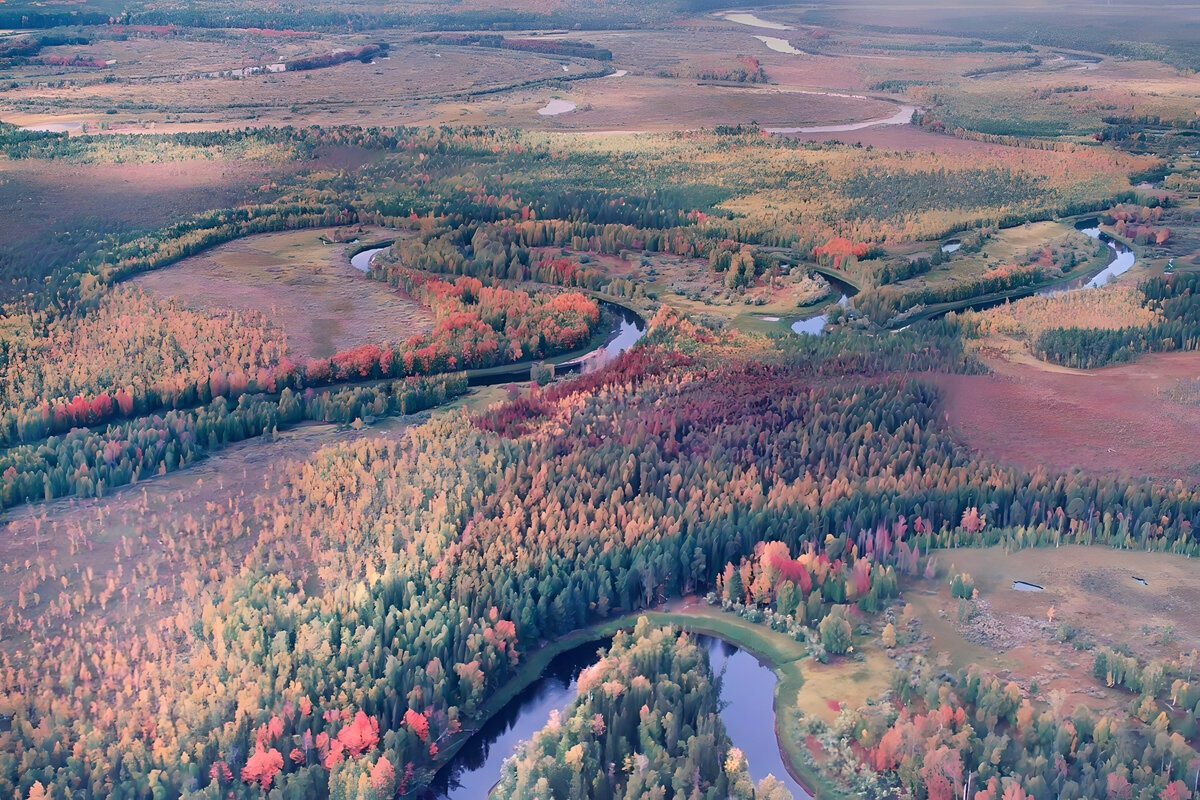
(127, 354)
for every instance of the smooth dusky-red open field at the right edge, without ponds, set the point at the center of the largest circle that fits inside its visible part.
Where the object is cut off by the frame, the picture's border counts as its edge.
(1111, 422)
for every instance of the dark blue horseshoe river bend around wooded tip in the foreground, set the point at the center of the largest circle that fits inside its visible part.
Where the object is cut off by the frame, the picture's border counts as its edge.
(747, 694)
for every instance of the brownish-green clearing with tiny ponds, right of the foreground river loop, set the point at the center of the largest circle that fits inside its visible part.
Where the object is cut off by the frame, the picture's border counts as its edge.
(1091, 590)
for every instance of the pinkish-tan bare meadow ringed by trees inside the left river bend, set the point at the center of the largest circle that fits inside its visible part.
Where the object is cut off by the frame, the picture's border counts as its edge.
(303, 285)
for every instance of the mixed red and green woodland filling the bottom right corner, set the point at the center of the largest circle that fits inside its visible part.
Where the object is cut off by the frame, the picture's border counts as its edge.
(941, 729)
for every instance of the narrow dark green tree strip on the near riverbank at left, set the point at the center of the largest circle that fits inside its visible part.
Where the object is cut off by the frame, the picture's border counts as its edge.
(91, 462)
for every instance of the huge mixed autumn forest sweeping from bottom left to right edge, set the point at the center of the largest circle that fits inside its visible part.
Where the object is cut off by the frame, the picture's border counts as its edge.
(446, 556)
